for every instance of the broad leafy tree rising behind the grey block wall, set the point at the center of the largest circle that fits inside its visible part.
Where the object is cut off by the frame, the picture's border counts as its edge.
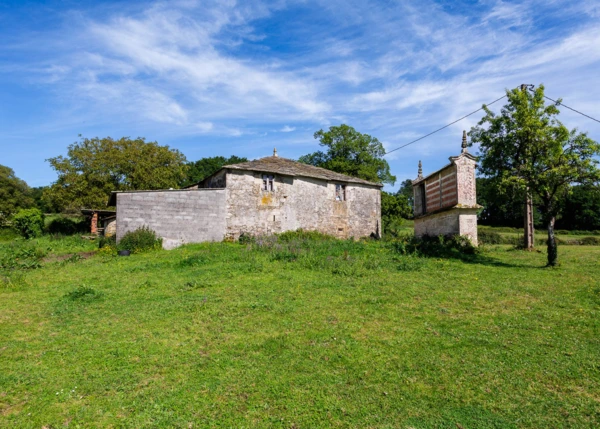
(93, 168)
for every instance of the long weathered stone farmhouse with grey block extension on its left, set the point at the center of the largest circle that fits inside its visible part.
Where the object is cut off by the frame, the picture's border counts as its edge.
(264, 196)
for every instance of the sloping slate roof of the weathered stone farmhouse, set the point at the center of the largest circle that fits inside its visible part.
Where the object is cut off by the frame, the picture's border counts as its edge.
(288, 167)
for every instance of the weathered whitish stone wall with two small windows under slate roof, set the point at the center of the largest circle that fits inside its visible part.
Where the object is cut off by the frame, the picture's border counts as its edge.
(299, 202)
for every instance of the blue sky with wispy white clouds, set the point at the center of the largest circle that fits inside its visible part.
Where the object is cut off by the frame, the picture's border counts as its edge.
(225, 77)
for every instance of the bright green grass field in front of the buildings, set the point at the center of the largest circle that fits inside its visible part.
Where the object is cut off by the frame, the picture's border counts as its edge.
(299, 335)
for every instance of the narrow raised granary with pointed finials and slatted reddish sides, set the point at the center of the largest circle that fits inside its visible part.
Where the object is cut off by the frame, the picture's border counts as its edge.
(445, 201)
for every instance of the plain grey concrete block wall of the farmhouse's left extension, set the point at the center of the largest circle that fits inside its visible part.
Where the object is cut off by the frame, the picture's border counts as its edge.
(187, 216)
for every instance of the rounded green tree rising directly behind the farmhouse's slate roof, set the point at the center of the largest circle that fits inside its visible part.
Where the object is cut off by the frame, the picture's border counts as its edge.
(352, 153)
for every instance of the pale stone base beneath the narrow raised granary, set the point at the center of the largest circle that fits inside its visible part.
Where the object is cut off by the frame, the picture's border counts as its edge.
(449, 222)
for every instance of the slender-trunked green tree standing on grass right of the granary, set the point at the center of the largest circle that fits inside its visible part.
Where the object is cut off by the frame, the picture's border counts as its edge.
(526, 148)
